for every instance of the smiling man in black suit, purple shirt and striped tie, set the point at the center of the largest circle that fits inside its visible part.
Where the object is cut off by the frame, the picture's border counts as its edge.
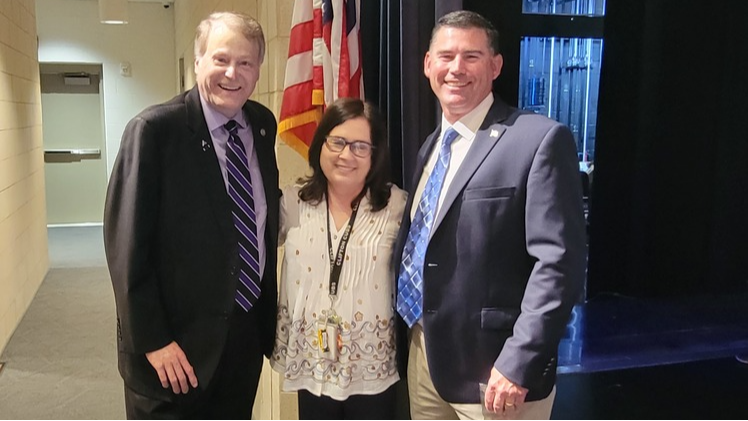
(187, 350)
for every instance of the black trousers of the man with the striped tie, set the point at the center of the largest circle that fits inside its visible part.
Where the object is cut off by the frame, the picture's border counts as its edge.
(230, 394)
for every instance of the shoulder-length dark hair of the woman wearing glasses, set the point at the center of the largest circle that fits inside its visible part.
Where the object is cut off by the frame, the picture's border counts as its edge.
(377, 182)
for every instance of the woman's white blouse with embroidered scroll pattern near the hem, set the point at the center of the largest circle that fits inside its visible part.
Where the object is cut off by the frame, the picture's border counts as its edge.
(365, 299)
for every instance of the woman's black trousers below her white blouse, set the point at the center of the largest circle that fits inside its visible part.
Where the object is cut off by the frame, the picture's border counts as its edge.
(356, 407)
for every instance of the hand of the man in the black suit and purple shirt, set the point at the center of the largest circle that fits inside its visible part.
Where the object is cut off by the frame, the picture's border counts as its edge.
(173, 368)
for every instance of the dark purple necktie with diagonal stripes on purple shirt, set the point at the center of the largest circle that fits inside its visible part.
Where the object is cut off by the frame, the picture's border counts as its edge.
(245, 220)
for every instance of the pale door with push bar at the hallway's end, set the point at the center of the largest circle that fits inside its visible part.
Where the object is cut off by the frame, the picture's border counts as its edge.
(74, 146)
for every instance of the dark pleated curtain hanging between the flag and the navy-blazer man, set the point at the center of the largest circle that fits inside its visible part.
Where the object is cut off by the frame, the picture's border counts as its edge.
(395, 35)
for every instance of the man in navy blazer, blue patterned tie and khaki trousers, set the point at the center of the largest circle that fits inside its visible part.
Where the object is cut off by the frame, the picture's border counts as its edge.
(504, 258)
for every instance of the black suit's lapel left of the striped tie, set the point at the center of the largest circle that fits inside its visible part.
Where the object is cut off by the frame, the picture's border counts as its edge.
(208, 164)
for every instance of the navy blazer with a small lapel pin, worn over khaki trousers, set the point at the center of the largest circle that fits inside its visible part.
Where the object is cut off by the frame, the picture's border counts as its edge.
(505, 263)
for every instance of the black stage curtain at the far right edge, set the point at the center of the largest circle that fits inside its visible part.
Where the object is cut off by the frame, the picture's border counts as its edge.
(670, 191)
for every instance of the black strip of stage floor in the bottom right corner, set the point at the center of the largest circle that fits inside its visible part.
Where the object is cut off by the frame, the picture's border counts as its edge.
(712, 389)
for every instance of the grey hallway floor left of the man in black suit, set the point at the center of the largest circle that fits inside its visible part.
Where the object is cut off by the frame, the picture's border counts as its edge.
(61, 362)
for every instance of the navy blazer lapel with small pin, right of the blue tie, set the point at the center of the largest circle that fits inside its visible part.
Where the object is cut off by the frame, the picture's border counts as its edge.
(485, 139)
